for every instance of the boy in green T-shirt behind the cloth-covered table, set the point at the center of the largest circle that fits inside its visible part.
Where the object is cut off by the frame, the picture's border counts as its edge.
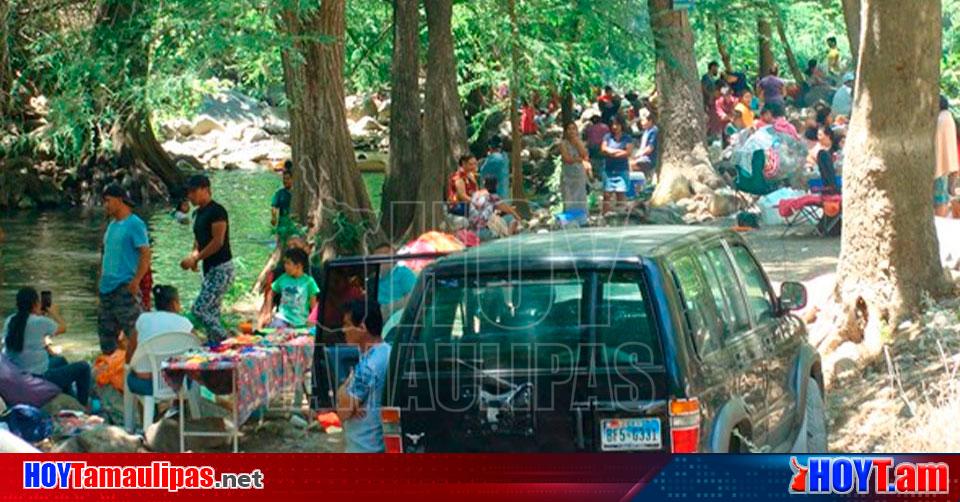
(298, 291)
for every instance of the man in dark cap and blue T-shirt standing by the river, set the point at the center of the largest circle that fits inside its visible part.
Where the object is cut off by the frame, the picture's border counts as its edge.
(126, 260)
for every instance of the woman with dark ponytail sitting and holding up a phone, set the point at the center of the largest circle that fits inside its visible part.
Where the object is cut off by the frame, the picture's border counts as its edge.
(24, 340)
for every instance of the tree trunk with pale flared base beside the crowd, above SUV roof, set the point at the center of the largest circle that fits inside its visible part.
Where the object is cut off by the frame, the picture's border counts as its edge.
(685, 166)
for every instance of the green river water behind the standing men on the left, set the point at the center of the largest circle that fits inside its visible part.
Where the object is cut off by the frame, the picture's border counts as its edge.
(60, 250)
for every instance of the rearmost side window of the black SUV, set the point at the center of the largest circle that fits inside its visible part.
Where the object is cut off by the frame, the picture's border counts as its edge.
(698, 303)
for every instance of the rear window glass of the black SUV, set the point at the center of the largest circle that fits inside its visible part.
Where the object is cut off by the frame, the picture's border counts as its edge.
(534, 321)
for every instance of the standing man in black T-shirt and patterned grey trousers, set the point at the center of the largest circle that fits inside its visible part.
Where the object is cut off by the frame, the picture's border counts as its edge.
(211, 231)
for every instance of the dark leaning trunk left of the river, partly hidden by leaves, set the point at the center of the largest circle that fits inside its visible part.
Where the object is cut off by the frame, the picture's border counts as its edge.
(129, 22)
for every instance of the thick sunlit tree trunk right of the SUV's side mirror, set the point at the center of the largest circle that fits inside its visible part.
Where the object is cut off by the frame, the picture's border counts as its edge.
(889, 253)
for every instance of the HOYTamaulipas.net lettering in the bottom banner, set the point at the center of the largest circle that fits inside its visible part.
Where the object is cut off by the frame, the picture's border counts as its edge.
(156, 476)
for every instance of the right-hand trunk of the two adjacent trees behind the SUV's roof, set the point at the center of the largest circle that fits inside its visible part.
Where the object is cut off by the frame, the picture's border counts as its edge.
(444, 126)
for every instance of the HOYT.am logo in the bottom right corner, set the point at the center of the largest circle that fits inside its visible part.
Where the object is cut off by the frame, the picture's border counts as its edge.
(878, 475)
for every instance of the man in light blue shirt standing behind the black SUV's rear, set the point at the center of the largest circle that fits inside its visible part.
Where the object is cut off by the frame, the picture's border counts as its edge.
(358, 399)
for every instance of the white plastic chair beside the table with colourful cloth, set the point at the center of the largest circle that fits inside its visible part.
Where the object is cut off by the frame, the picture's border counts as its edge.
(157, 350)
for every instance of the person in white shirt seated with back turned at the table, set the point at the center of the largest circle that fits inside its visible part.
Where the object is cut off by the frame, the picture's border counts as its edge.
(165, 319)
